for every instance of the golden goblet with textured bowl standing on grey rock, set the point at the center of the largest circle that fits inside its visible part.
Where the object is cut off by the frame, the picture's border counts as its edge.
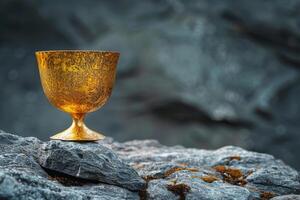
(77, 82)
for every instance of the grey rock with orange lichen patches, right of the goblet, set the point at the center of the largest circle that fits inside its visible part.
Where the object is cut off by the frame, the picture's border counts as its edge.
(251, 175)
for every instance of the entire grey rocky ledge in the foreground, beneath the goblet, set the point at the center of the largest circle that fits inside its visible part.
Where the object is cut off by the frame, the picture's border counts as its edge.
(139, 169)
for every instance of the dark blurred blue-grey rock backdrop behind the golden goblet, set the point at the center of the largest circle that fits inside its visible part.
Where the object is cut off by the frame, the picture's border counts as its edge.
(199, 73)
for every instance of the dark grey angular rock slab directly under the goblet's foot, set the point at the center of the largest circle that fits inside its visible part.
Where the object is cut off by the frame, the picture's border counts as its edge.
(91, 161)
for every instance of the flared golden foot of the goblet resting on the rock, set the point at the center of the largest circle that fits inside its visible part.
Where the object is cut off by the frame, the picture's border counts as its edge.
(83, 135)
